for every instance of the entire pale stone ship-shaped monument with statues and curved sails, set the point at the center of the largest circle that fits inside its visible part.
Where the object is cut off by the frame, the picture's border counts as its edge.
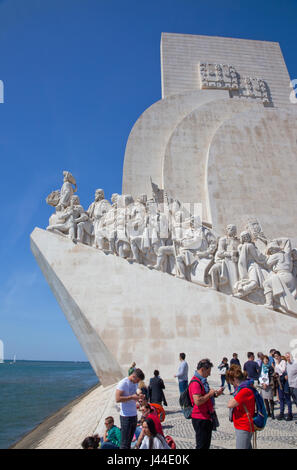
(198, 254)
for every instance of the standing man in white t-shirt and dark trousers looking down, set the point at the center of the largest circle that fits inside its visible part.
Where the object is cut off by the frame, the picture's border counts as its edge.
(126, 396)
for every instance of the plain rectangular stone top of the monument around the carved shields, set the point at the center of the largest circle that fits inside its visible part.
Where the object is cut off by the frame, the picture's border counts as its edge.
(181, 54)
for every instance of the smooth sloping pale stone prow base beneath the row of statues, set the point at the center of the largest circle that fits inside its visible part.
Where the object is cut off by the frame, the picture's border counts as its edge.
(122, 313)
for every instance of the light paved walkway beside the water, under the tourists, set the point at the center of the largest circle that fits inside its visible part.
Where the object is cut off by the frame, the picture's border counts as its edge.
(67, 428)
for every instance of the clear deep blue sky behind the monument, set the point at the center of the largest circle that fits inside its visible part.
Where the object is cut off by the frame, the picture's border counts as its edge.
(77, 74)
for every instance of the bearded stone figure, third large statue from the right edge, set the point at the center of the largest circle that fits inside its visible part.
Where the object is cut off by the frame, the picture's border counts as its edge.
(225, 271)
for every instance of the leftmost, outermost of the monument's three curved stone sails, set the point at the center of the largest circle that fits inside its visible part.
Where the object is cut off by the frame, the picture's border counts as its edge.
(146, 145)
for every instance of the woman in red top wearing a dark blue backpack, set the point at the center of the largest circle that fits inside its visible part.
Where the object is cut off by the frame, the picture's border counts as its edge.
(242, 405)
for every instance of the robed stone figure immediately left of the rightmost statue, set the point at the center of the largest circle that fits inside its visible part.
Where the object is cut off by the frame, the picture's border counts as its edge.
(251, 267)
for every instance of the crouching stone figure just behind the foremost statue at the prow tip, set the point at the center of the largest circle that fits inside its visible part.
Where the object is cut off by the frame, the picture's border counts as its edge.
(70, 218)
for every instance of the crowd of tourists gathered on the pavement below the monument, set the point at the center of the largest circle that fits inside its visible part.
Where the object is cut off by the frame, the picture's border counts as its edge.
(262, 382)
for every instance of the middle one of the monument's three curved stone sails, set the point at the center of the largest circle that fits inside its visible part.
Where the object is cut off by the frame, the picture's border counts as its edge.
(186, 154)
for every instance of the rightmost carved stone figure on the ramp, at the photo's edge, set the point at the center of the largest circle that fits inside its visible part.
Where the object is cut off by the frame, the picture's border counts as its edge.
(280, 285)
